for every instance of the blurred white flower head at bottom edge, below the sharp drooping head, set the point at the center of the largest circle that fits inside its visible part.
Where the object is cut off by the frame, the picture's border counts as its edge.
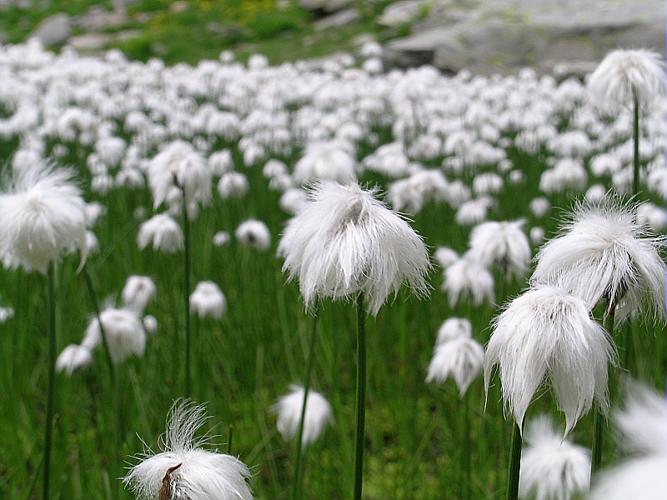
(552, 468)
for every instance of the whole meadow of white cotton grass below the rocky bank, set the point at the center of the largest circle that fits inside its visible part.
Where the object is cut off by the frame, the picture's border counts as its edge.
(250, 229)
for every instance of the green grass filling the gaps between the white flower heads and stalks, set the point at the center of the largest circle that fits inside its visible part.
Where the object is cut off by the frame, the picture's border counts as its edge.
(244, 362)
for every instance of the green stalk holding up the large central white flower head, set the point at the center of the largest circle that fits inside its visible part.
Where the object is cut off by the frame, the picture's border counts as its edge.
(361, 396)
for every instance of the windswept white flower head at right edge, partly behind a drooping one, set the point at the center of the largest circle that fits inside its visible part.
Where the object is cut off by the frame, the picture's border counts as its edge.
(603, 254)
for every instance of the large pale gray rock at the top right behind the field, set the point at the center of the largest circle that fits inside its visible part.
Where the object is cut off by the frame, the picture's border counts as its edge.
(503, 35)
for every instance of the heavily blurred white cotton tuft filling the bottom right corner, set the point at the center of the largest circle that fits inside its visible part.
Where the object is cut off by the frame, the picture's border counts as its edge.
(643, 427)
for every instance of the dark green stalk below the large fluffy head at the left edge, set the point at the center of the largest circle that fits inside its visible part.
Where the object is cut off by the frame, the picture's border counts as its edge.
(51, 370)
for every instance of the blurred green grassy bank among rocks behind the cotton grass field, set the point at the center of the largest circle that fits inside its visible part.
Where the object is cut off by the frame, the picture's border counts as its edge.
(207, 27)
